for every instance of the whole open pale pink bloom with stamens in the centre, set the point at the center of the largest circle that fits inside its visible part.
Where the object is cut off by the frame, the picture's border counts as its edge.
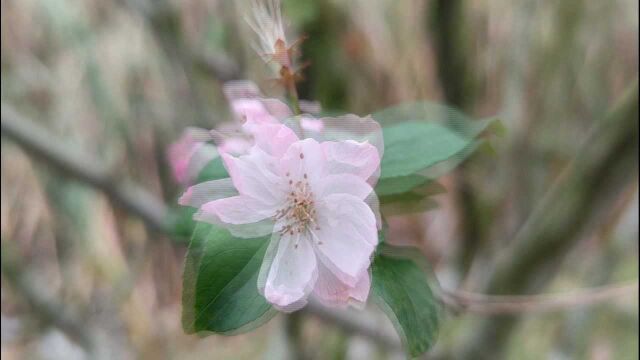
(314, 198)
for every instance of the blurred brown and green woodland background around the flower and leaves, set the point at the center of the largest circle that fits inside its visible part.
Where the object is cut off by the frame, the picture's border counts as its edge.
(552, 208)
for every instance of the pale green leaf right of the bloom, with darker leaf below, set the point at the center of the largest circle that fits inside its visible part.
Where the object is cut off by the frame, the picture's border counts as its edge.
(423, 141)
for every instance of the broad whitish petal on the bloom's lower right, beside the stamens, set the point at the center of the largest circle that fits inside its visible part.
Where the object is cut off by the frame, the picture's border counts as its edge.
(346, 236)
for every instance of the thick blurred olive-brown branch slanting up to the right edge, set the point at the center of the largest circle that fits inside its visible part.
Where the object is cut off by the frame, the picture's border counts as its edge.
(607, 162)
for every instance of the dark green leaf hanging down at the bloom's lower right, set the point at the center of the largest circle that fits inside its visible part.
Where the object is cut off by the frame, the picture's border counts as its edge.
(400, 288)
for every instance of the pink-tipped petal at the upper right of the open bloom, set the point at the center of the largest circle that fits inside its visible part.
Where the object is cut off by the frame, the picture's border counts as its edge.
(351, 157)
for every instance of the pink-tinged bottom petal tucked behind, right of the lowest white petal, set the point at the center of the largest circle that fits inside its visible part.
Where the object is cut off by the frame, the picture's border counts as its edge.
(332, 292)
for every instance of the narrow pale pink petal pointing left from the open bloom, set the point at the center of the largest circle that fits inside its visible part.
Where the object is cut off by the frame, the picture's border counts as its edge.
(234, 210)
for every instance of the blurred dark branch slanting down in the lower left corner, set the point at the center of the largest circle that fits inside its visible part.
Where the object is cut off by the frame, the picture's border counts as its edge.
(46, 309)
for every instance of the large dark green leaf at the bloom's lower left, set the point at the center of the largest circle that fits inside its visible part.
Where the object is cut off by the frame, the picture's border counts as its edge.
(220, 284)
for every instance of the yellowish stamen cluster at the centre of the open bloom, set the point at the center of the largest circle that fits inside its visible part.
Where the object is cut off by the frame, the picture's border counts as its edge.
(299, 213)
